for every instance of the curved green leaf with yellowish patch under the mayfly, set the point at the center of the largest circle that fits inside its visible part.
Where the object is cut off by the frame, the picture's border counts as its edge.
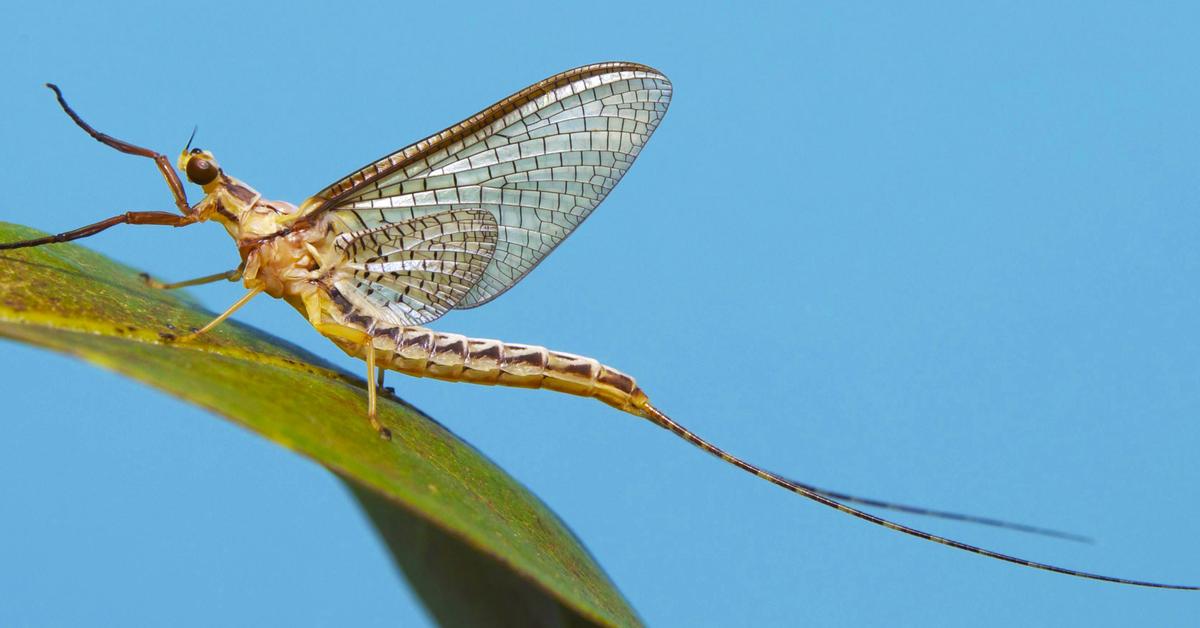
(477, 547)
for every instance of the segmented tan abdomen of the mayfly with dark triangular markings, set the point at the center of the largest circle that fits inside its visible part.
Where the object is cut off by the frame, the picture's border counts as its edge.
(455, 358)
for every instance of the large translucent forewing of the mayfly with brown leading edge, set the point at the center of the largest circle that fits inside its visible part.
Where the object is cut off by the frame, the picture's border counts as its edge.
(539, 162)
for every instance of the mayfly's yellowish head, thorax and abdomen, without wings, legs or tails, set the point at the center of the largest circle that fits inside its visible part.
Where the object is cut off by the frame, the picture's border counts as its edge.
(302, 266)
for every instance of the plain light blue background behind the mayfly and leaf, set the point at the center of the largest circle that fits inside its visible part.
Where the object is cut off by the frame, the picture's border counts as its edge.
(941, 254)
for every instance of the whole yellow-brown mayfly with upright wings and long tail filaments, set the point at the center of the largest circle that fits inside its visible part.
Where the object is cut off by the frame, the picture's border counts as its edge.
(453, 223)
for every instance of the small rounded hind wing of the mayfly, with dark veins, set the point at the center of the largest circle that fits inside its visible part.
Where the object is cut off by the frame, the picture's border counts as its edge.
(413, 272)
